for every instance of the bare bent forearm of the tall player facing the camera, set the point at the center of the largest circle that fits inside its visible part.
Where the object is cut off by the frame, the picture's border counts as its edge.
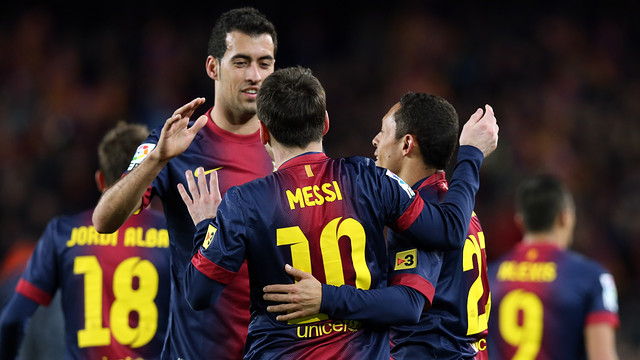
(125, 196)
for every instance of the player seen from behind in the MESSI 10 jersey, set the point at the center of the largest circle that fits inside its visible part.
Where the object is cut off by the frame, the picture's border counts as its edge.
(322, 215)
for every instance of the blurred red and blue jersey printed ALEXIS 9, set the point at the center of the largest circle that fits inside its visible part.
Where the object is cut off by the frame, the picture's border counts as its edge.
(544, 297)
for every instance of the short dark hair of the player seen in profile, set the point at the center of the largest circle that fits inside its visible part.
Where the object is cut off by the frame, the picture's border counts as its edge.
(434, 123)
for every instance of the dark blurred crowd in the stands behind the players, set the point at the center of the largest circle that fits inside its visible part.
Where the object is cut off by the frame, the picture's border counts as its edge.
(563, 78)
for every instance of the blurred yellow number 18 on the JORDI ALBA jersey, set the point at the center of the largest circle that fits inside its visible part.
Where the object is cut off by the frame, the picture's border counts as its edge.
(127, 300)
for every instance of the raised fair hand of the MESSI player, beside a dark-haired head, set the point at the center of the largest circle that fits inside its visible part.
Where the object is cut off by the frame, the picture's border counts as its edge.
(481, 131)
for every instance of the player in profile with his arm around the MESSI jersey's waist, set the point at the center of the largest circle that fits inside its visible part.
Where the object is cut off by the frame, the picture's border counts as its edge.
(417, 138)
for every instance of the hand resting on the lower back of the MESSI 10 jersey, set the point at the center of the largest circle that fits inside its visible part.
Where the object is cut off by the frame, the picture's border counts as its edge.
(297, 300)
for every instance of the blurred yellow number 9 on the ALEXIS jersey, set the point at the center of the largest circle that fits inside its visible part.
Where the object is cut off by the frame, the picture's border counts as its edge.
(527, 336)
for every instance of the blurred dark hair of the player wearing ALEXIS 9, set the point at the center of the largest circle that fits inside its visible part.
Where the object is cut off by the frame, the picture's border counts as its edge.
(540, 199)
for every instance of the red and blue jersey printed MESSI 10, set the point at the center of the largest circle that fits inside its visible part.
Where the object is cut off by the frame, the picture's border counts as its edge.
(324, 216)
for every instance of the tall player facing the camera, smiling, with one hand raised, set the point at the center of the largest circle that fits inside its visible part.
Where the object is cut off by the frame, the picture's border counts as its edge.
(241, 52)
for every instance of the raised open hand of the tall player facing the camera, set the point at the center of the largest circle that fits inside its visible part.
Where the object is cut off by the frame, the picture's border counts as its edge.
(176, 136)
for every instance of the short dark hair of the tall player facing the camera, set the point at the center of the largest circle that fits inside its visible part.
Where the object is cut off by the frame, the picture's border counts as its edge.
(247, 20)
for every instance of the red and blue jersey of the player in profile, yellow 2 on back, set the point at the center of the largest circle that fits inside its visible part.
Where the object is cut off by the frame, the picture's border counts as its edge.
(455, 326)
